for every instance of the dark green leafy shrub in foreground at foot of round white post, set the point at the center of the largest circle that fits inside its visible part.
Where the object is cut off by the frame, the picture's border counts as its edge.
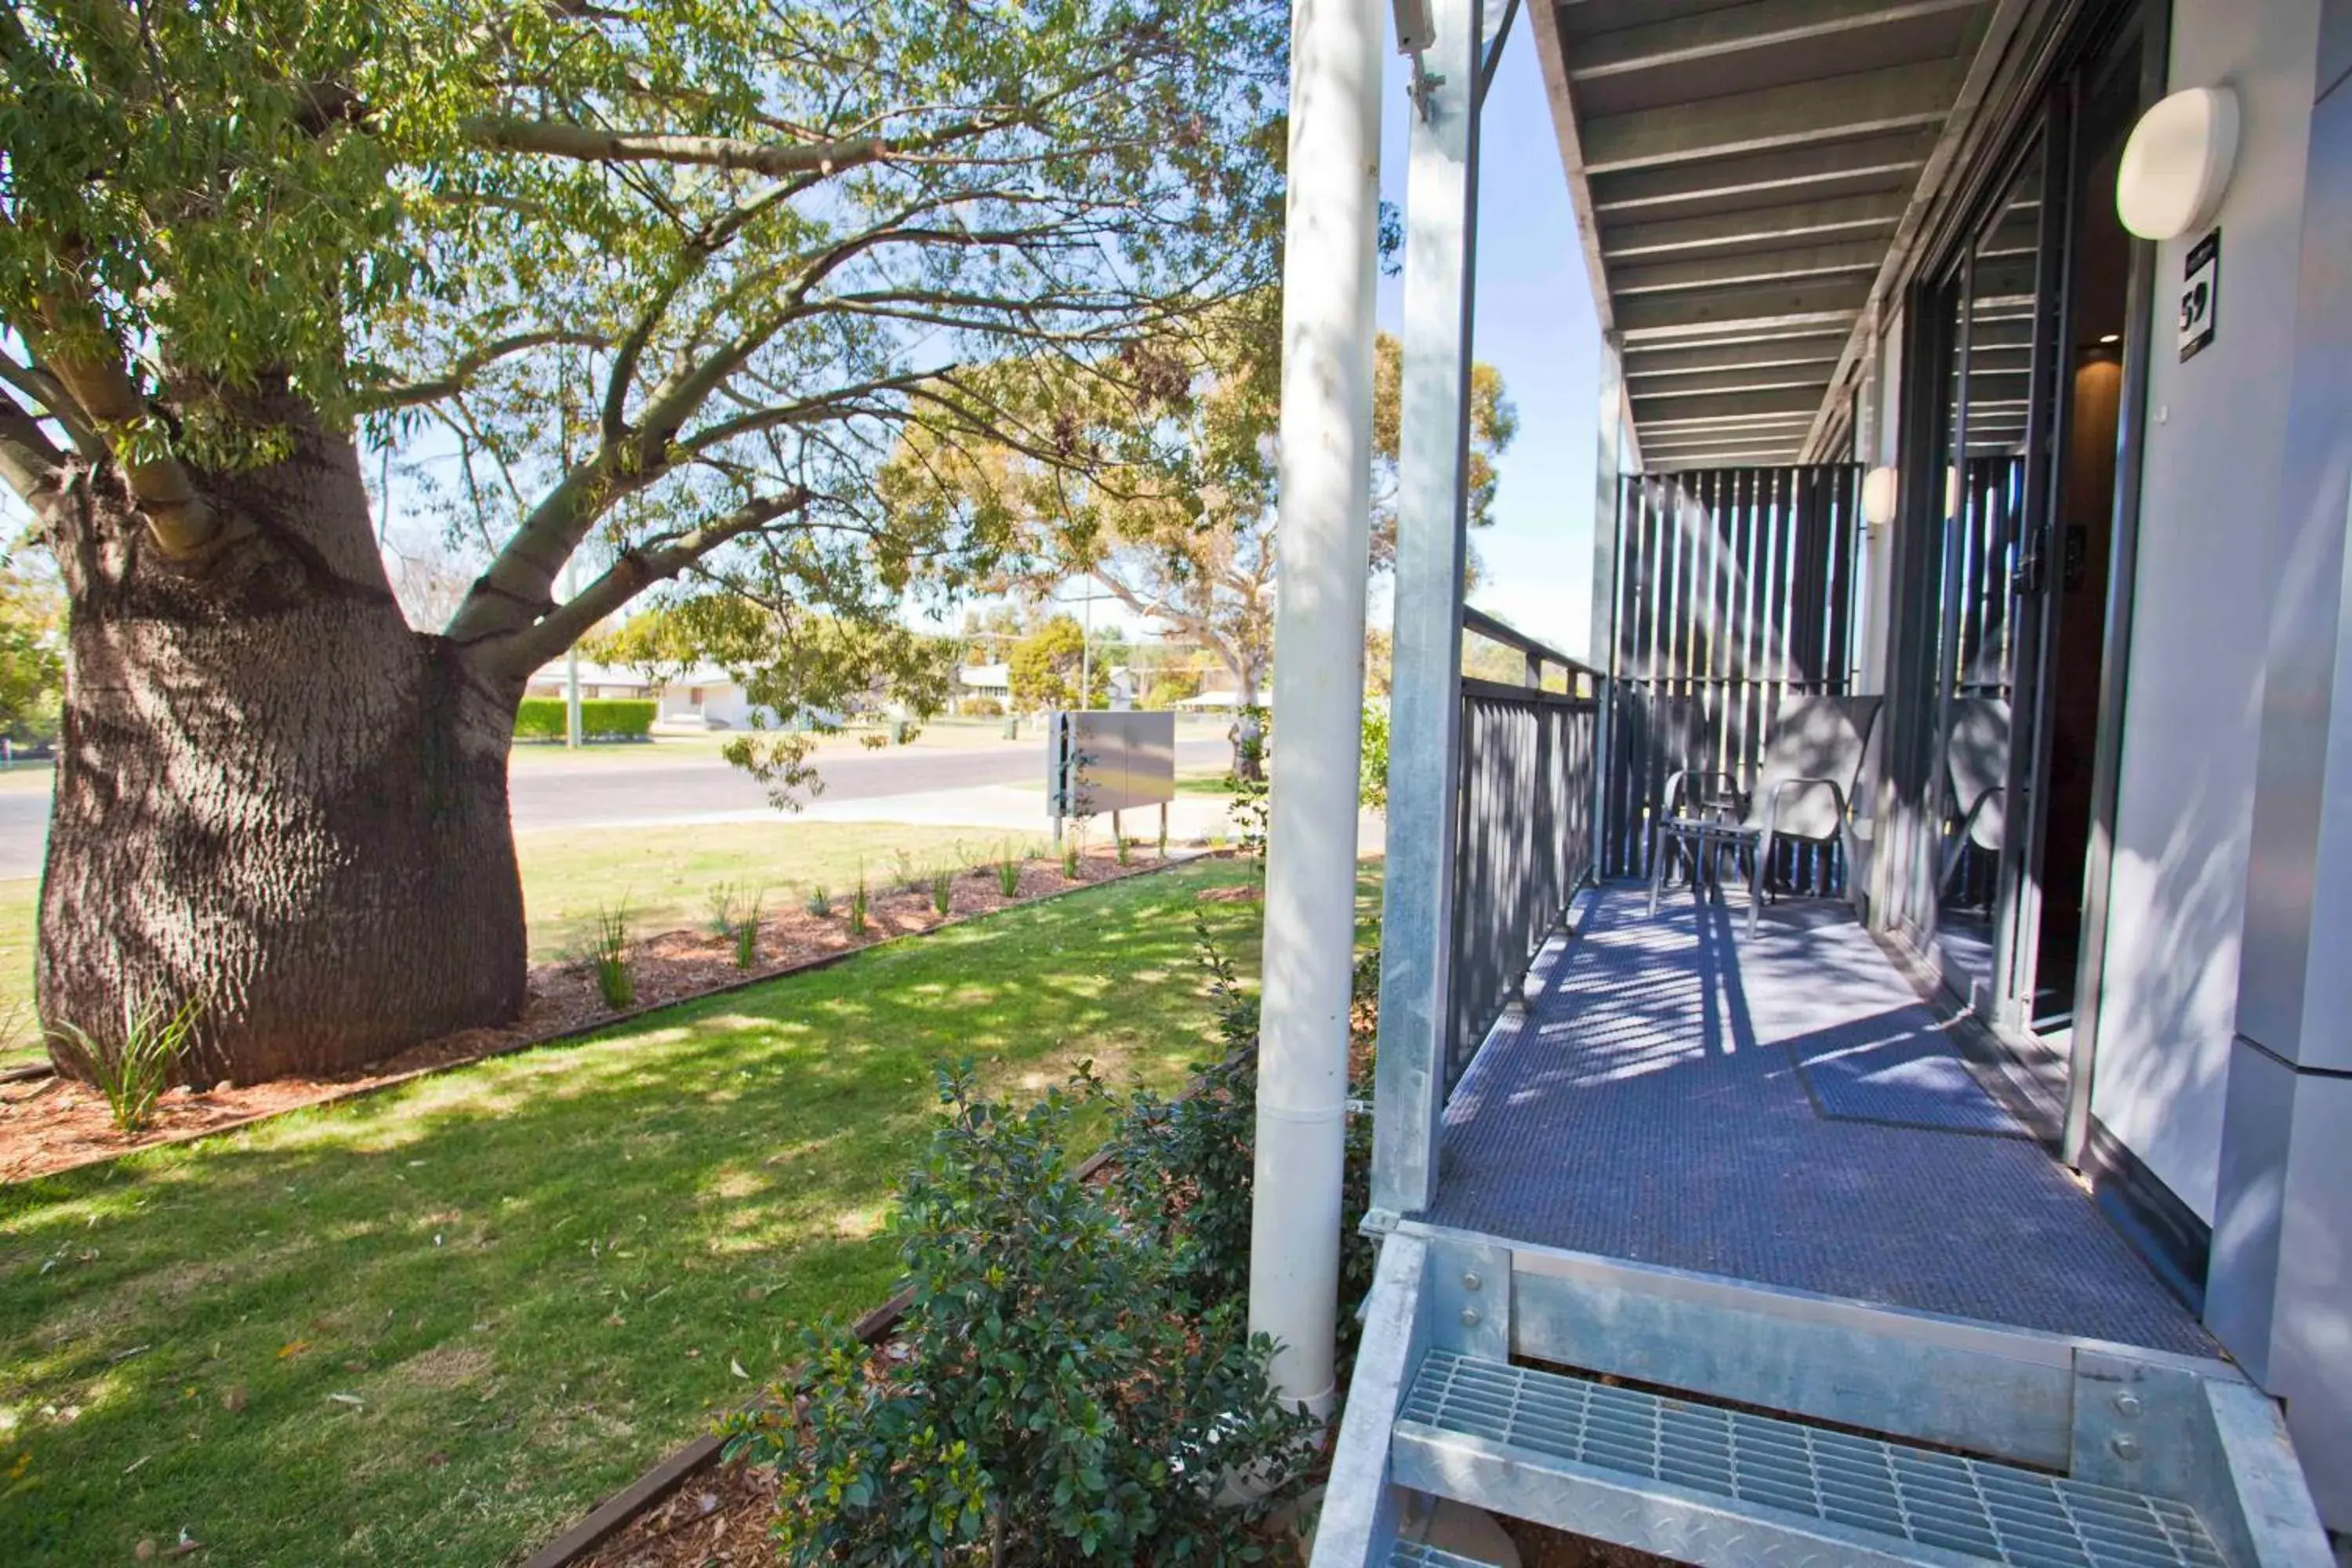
(1057, 1395)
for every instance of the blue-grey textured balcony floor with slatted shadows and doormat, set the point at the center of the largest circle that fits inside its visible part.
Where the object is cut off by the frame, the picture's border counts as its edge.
(1782, 1111)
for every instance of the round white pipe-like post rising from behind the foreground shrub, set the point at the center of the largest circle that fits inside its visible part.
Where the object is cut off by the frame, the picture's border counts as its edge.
(1328, 314)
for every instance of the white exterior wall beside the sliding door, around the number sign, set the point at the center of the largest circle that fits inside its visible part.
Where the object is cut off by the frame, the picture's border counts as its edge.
(2200, 615)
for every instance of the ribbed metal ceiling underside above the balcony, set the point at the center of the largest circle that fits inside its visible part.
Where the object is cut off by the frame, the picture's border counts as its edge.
(1746, 168)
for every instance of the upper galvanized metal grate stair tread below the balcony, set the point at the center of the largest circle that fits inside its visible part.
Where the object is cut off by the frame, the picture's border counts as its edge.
(1838, 1487)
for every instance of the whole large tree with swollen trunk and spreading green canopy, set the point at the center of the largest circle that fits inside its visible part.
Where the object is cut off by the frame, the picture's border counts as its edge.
(650, 288)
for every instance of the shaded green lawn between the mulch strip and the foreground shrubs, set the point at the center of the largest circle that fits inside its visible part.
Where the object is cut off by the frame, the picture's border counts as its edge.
(441, 1325)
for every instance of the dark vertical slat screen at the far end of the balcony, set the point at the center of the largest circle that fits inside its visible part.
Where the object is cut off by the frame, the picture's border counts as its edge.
(1735, 591)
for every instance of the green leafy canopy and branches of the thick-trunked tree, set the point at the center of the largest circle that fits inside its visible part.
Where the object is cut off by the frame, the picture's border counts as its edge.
(650, 286)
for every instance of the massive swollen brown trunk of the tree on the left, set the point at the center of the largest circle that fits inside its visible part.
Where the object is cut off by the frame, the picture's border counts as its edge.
(274, 798)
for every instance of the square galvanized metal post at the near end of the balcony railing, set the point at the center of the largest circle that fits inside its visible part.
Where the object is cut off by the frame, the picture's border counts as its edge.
(1424, 716)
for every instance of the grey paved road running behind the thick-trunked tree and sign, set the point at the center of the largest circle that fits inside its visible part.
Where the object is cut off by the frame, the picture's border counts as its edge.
(610, 791)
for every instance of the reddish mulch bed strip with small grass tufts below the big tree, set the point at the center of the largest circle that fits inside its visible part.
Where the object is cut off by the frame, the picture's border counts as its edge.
(55, 1125)
